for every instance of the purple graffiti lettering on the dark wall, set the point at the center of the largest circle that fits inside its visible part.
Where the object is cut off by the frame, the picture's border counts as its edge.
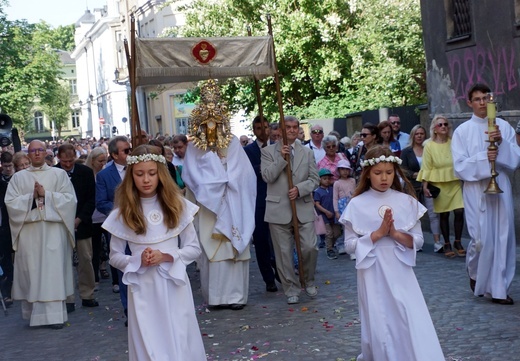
(494, 67)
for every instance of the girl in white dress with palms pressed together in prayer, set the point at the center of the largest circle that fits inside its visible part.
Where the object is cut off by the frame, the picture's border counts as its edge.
(383, 228)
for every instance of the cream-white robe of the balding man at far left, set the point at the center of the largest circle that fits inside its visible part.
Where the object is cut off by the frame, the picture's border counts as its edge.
(43, 238)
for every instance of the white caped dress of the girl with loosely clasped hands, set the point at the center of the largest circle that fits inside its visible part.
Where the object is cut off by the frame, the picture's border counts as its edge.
(162, 324)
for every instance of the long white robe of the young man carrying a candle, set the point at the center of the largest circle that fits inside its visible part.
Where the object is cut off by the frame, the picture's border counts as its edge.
(491, 254)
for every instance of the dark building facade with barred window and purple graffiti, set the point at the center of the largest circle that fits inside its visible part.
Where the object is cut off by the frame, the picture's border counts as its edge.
(468, 42)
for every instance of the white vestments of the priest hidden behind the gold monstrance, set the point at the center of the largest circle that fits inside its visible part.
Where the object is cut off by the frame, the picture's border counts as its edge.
(225, 189)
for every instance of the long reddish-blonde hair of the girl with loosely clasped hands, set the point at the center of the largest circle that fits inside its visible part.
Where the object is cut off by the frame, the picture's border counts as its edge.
(128, 201)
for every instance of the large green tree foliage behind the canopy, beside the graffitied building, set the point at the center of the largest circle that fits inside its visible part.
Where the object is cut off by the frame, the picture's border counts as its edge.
(333, 56)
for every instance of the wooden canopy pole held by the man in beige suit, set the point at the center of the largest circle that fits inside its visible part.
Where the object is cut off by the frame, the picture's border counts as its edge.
(295, 222)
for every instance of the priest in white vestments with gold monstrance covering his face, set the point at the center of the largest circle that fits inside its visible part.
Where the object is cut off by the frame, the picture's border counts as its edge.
(218, 173)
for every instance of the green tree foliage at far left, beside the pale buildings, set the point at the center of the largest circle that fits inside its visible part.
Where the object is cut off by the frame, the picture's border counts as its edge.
(30, 70)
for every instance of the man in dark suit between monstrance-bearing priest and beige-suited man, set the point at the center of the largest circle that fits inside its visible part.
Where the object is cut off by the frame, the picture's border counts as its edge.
(261, 236)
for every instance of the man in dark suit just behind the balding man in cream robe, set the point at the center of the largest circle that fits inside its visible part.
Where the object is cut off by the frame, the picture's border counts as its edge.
(82, 178)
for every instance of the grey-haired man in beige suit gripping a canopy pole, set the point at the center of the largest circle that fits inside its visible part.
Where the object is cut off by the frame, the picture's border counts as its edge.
(278, 208)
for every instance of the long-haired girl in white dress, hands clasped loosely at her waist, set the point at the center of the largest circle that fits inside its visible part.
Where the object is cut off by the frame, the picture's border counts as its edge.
(155, 221)
